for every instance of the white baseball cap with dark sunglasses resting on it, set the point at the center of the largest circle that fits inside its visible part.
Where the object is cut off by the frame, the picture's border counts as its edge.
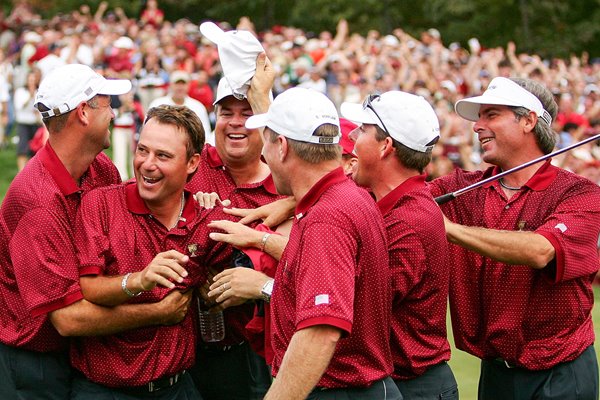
(407, 118)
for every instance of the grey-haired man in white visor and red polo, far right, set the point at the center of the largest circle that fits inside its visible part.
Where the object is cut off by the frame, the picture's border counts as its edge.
(525, 253)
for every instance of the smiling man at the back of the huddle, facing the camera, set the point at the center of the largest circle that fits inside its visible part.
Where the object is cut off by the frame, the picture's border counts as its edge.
(234, 170)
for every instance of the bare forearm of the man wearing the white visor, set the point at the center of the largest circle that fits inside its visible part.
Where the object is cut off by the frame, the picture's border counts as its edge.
(510, 247)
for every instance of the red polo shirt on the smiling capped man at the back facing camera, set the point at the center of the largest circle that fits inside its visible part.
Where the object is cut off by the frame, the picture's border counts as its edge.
(212, 176)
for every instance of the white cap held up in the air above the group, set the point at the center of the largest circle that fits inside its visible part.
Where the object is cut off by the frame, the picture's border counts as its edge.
(238, 51)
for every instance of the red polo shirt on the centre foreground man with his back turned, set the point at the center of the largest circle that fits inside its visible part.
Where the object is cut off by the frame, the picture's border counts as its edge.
(334, 271)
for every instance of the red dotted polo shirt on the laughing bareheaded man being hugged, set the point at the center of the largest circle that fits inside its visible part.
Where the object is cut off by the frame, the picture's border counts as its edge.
(116, 234)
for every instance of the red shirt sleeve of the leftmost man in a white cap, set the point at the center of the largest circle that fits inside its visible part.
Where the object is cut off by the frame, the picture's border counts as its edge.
(43, 257)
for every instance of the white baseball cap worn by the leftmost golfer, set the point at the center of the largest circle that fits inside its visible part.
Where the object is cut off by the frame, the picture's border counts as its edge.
(65, 87)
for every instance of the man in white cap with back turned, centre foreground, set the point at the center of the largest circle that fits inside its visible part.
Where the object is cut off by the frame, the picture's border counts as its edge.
(330, 304)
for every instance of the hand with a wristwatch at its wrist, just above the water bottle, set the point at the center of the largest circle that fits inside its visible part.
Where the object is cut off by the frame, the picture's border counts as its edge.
(234, 286)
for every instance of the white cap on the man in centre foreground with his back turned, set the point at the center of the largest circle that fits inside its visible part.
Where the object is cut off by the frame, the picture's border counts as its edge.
(297, 113)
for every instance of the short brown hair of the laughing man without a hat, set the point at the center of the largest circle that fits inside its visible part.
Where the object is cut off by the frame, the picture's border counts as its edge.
(184, 118)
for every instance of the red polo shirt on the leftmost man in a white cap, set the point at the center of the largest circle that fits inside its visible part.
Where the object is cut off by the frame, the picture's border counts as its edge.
(37, 256)
